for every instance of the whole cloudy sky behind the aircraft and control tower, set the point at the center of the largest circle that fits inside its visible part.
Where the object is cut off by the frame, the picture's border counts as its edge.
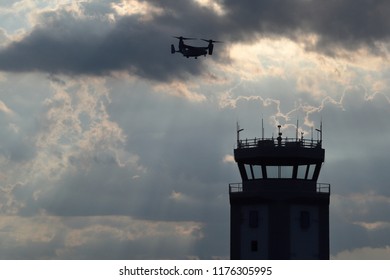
(112, 148)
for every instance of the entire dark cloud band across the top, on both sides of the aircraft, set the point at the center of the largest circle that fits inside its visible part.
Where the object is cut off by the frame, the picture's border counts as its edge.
(65, 43)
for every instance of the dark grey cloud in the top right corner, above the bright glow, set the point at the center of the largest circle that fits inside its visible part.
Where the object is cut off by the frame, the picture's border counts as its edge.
(338, 24)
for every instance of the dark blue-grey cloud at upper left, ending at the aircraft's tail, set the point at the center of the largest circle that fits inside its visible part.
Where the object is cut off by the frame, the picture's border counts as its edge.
(79, 48)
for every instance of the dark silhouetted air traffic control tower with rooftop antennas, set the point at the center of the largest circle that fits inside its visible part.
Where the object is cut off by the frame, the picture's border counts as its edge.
(279, 211)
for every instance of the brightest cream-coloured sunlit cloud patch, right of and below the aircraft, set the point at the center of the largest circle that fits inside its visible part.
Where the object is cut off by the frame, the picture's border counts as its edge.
(316, 74)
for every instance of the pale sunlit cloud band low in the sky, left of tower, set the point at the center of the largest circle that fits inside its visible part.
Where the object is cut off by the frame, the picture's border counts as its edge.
(64, 235)
